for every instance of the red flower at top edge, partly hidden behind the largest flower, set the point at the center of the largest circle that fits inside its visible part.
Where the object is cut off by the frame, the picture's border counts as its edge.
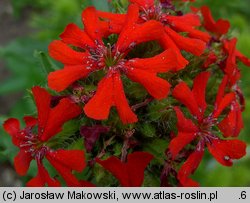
(196, 41)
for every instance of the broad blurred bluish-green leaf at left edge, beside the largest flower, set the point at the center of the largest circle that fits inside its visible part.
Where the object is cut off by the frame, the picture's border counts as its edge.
(22, 66)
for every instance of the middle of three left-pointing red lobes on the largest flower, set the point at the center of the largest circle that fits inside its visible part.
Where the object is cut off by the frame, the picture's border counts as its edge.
(61, 52)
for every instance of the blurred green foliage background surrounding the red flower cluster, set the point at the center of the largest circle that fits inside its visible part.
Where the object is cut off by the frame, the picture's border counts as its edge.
(28, 26)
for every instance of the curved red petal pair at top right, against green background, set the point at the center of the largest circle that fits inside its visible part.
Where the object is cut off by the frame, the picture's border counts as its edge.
(219, 27)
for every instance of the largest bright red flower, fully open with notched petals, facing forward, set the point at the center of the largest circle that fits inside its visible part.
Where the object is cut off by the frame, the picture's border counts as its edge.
(112, 59)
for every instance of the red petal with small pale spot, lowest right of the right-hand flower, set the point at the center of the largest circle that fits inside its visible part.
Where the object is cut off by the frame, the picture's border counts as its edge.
(224, 151)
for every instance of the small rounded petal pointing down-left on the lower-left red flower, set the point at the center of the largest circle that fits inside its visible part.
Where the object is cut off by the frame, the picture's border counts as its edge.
(22, 162)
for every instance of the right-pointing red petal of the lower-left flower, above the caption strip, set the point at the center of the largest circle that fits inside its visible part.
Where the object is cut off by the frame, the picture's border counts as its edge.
(72, 159)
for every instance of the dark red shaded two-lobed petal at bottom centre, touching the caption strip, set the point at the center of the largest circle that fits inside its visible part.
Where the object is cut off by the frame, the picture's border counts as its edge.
(131, 173)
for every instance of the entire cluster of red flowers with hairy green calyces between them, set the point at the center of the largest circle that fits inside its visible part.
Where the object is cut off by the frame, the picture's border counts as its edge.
(153, 64)
